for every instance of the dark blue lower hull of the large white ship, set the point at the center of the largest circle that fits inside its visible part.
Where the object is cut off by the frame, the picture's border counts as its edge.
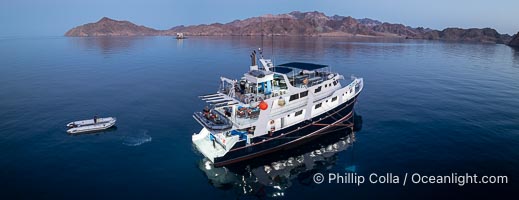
(293, 136)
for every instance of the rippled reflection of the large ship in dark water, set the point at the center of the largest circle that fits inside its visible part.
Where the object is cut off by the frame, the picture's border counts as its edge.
(270, 177)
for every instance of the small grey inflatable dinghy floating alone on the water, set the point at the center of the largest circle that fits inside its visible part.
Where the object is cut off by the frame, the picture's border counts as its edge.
(89, 125)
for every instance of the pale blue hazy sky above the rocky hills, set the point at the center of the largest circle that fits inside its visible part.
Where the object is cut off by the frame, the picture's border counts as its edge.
(55, 17)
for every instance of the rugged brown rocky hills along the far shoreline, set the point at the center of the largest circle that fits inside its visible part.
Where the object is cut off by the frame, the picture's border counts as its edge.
(298, 24)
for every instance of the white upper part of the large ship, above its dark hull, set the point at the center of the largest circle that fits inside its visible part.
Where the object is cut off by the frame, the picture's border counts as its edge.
(267, 100)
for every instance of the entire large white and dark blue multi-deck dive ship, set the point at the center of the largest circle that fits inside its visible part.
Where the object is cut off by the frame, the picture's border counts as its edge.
(273, 108)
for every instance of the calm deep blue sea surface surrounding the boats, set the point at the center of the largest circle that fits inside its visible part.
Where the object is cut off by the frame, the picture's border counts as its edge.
(428, 107)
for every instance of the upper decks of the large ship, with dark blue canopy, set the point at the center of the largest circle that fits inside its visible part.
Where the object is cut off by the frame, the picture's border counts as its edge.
(239, 99)
